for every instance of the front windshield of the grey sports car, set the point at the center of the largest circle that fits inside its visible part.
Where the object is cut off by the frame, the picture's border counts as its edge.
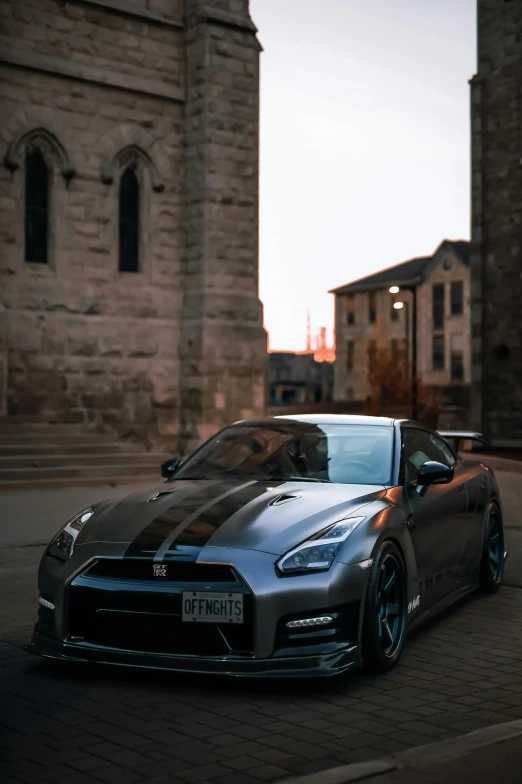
(284, 450)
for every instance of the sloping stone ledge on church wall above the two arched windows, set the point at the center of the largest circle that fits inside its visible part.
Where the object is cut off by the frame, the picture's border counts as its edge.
(57, 66)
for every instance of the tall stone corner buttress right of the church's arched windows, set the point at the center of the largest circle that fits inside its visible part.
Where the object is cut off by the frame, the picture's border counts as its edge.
(223, 344)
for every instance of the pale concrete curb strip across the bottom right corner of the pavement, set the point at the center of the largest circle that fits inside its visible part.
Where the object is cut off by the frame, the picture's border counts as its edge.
(418, 758)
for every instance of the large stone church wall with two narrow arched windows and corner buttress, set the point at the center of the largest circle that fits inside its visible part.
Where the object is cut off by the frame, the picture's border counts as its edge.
(129, 215)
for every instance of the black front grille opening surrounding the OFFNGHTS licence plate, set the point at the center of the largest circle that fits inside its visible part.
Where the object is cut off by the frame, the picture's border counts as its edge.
(146, 616)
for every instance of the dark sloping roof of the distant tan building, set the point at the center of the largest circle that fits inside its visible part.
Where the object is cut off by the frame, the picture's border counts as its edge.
(407, 273)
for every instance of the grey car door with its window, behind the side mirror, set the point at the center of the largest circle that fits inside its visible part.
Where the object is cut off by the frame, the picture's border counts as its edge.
(438, 515)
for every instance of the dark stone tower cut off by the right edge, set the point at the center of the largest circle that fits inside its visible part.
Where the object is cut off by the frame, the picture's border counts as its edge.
(496, 230)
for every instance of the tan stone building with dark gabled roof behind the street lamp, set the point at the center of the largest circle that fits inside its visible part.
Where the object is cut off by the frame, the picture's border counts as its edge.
(365, 313)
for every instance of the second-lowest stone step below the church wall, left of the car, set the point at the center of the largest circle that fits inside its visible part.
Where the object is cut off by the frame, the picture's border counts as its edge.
(121, 459)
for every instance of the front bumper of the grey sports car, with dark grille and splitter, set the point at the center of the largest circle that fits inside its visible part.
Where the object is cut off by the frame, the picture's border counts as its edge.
(267, 649)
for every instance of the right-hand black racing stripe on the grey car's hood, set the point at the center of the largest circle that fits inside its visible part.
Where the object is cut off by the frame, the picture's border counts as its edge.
(200, 531)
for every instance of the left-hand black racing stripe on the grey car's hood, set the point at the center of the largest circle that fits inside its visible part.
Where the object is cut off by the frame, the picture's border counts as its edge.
(154, 534)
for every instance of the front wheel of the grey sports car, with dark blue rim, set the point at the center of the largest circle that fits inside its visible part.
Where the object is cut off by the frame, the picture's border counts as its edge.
(384, 632)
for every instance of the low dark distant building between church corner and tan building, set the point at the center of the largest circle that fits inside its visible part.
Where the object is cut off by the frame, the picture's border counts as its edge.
(296, 378)
